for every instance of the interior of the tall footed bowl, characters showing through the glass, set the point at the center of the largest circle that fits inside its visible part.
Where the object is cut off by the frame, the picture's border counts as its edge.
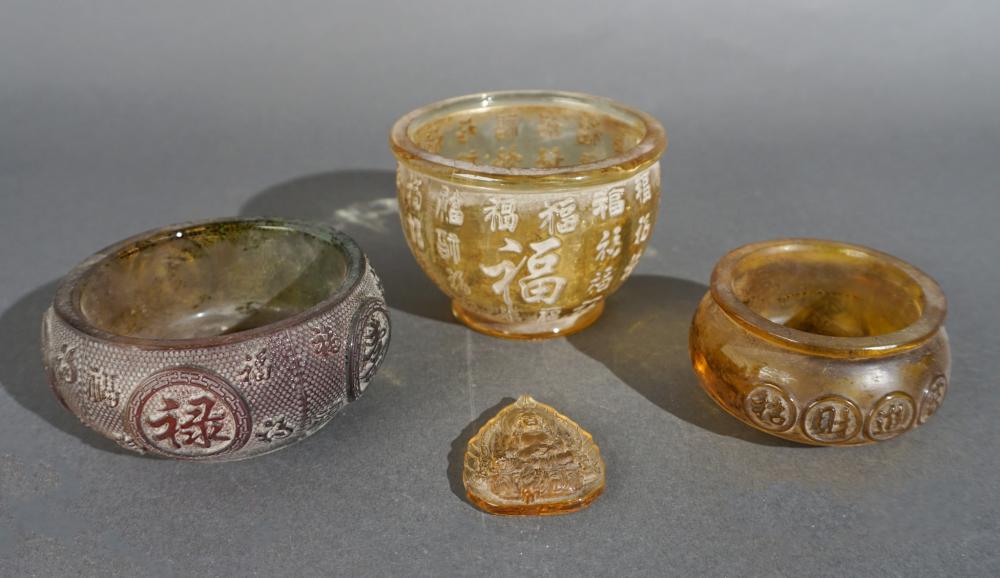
(535, 131)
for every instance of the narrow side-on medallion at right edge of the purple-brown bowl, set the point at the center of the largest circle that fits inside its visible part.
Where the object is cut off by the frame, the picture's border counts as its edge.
(369, 342)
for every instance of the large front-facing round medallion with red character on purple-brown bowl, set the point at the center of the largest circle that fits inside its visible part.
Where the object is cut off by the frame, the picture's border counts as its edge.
(188, 413)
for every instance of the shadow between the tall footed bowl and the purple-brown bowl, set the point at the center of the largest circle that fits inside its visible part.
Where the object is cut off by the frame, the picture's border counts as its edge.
(362, 203)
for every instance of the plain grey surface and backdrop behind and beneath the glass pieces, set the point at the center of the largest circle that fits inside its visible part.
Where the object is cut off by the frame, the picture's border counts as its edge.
(877, 123)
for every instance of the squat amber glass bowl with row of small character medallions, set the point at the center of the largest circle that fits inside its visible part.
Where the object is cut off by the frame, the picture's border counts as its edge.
(821, 342)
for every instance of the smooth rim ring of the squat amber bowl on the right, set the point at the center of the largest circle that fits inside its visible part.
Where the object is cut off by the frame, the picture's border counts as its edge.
(931, 320)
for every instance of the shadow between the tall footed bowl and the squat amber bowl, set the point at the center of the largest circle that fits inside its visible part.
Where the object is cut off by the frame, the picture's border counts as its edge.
(642, 337)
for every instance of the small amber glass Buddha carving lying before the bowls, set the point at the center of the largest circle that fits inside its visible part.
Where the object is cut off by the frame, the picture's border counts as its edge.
(532, 460)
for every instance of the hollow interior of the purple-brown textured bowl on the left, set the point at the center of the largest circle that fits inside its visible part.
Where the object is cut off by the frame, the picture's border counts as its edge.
(210, 280)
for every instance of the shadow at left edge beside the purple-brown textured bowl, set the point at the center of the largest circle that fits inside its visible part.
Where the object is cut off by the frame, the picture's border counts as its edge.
(23, 375)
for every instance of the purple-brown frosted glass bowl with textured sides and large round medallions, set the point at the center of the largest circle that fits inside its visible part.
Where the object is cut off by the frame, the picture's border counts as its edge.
(216, 340)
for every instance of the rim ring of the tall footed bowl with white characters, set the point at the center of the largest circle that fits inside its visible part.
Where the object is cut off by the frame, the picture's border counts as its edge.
(643, 154)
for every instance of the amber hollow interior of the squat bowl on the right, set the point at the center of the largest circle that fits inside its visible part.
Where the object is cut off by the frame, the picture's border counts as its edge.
(837, 292)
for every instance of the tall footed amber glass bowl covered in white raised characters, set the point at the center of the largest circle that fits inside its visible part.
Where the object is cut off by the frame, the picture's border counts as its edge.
(528, 208)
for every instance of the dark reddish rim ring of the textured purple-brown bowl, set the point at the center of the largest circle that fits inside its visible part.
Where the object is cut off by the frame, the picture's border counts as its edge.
(67, 298)
